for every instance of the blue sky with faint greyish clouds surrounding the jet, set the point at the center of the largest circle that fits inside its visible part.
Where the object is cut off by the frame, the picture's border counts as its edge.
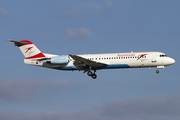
(87, 27)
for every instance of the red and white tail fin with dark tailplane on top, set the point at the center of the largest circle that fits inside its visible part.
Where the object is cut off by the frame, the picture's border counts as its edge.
(29, 50)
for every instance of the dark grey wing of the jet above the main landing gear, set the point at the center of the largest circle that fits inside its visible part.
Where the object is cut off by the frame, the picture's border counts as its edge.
(80, 60)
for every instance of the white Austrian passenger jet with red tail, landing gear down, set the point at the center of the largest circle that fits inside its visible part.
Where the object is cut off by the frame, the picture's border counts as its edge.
(92, 62)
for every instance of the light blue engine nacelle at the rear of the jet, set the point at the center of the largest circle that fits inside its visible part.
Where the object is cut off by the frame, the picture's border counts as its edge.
(59, 60)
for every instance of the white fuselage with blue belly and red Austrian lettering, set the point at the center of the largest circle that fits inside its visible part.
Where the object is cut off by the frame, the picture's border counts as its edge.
(114, 60)
